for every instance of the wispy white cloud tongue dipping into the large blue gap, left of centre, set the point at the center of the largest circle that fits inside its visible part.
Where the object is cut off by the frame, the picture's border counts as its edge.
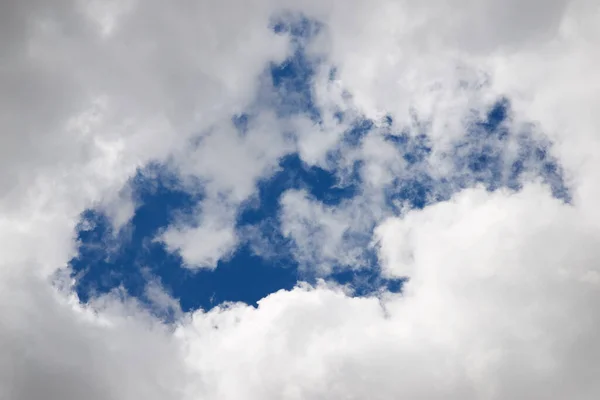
(229, 165)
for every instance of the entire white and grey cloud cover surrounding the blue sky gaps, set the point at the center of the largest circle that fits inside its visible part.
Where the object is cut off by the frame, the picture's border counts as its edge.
(503, 290)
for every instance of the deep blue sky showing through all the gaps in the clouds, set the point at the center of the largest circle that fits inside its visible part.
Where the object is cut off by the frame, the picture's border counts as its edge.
(131, 258)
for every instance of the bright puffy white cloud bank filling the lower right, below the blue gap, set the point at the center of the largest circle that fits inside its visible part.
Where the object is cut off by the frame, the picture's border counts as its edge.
(500, 304)
